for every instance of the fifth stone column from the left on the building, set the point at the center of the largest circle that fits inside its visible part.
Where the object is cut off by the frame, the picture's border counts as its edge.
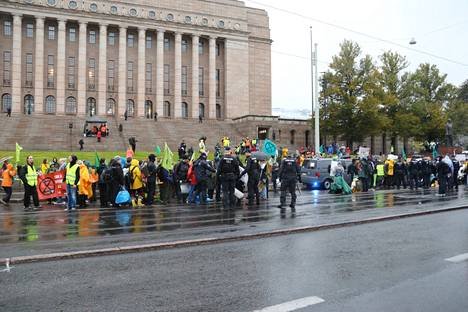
(102, 75)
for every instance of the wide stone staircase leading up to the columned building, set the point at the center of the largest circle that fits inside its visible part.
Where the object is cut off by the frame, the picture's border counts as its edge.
(49, 132)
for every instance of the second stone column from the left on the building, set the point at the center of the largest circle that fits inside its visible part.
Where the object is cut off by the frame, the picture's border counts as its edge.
(39, 65)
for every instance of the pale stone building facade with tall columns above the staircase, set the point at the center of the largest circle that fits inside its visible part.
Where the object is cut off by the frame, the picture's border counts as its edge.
(173, 58)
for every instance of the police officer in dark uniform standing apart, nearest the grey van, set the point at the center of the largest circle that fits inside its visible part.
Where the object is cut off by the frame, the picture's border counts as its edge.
(288, 174)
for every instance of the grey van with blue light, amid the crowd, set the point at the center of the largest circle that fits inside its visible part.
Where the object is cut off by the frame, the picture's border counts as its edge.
(315, 173)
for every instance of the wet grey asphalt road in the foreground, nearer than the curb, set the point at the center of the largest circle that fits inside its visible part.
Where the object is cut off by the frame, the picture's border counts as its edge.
(386, 266)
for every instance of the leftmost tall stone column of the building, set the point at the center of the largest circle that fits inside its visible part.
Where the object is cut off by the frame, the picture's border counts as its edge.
(16, 65)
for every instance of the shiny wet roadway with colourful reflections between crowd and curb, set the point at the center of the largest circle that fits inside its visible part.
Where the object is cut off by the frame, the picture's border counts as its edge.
(53, 230)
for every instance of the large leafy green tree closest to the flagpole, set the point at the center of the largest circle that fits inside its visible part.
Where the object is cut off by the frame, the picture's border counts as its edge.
(350, 92)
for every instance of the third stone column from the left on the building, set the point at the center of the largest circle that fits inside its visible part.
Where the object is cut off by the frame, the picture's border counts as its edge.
(60, 100)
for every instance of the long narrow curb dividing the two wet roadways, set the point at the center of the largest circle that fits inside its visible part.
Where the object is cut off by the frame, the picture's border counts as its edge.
(210, 241)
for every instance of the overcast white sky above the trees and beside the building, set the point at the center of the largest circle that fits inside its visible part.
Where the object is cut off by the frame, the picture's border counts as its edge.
(439, 27)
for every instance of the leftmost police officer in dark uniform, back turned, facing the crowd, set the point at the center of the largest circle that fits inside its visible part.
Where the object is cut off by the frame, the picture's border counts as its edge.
(227, 174)
